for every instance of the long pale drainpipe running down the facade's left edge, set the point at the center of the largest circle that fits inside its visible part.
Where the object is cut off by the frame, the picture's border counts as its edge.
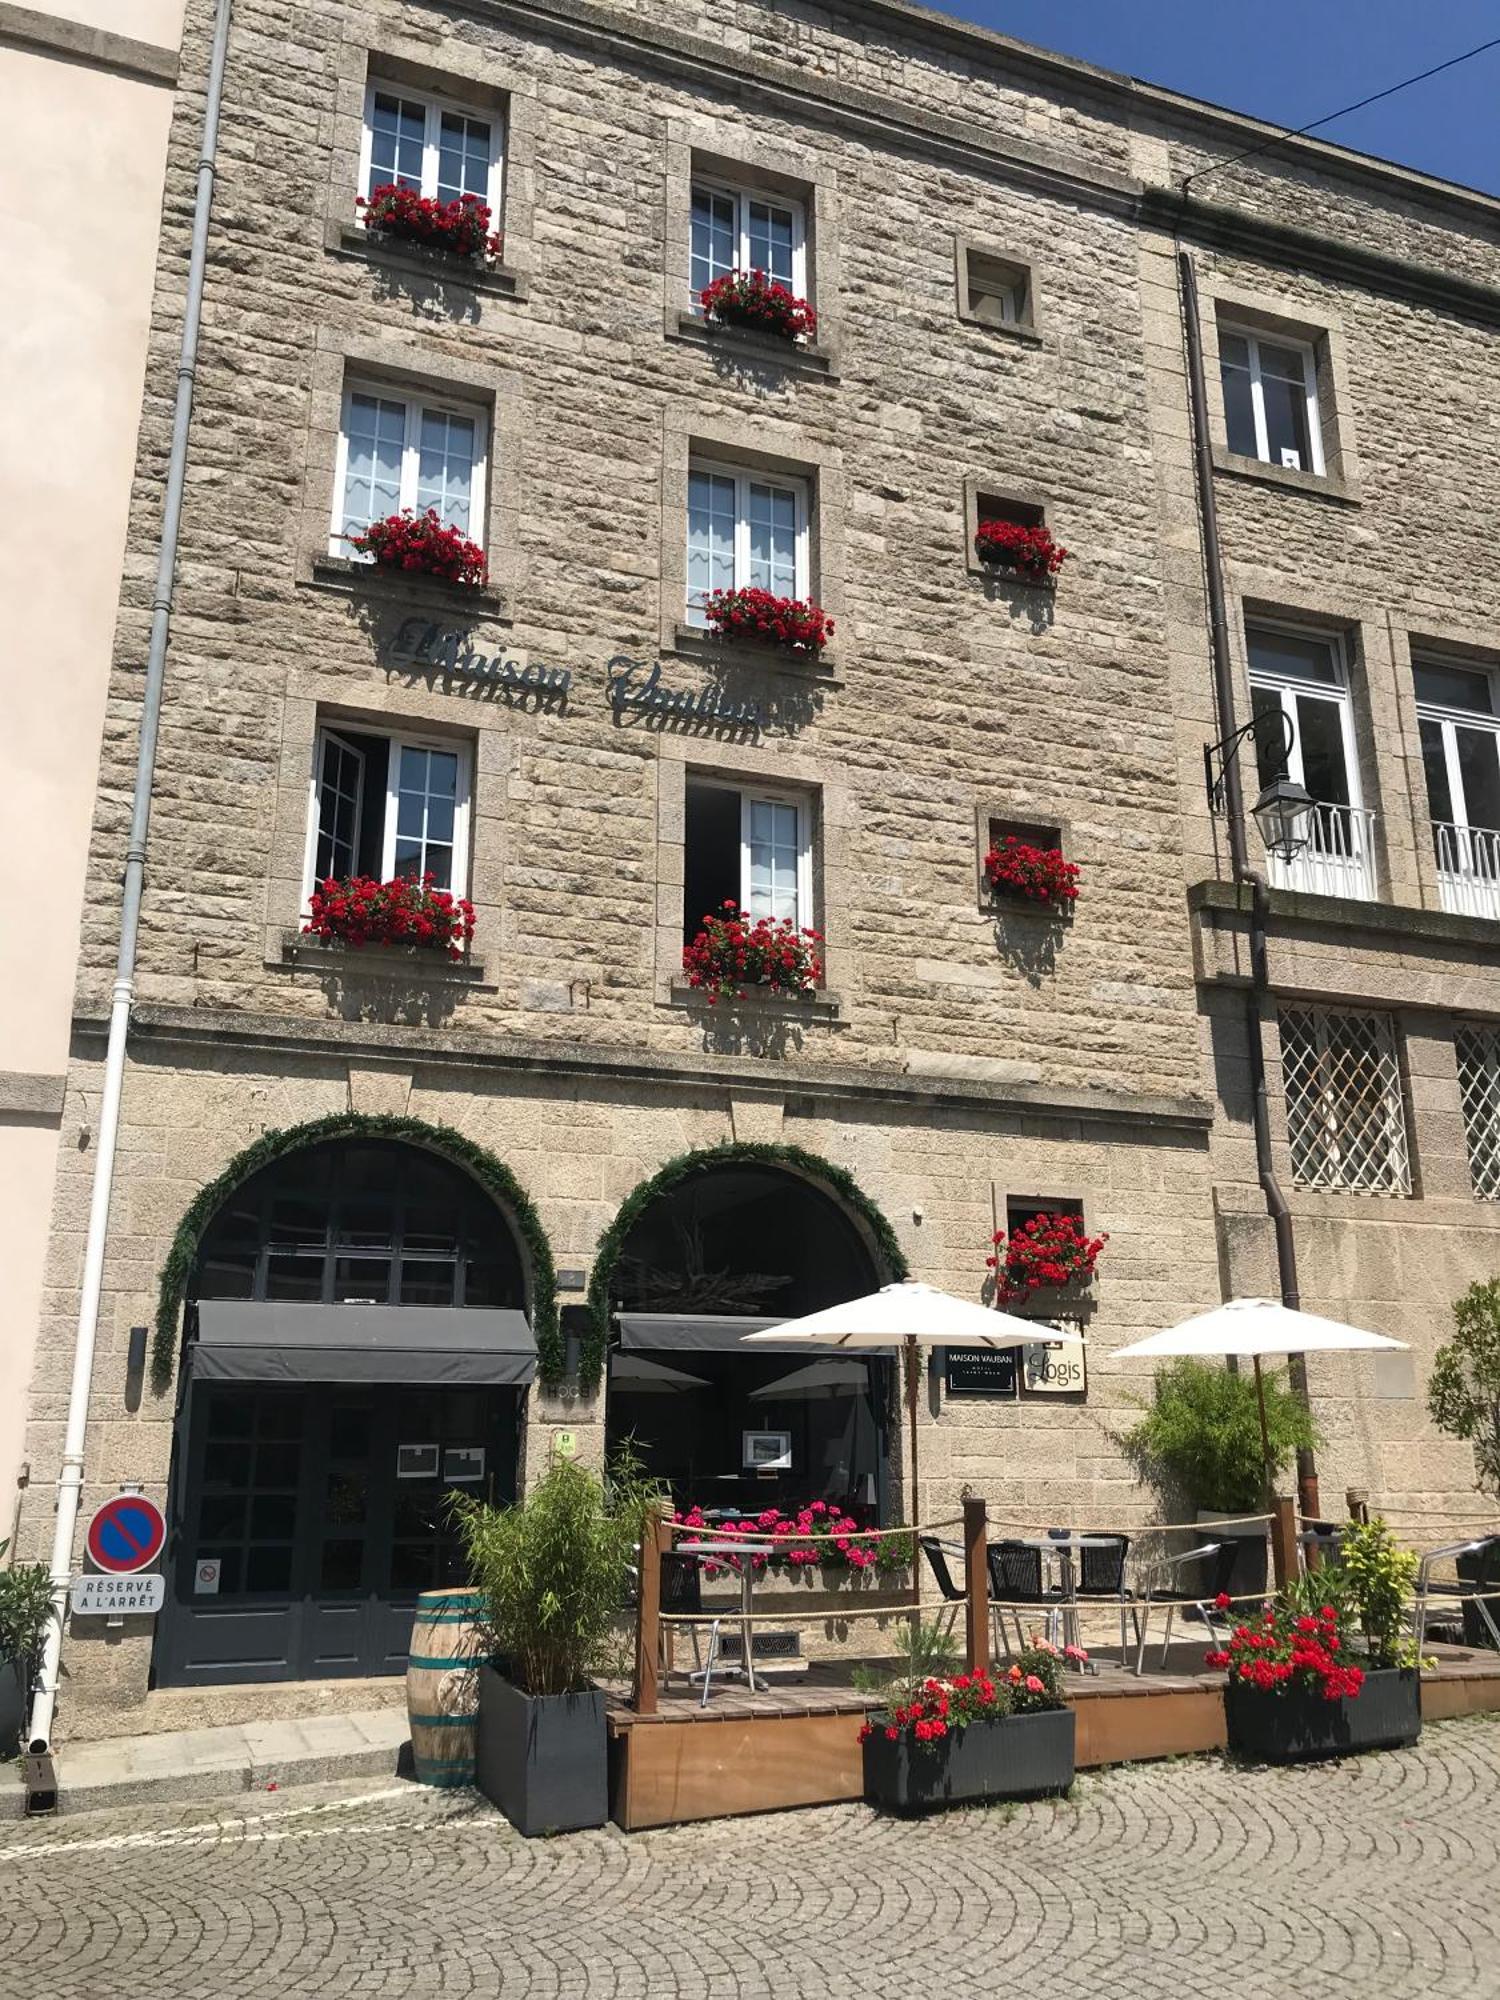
(71, 1477)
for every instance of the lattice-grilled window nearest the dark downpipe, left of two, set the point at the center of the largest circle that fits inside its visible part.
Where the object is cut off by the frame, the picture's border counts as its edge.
(1345, 1115)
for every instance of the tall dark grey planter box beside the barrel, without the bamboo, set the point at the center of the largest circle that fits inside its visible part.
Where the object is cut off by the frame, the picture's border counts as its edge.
(543, 1759)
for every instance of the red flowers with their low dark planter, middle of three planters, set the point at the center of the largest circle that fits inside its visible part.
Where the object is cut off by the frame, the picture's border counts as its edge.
(949, 1739)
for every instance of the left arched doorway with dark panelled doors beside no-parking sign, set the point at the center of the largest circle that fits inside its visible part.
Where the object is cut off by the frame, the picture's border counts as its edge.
(357, 1351)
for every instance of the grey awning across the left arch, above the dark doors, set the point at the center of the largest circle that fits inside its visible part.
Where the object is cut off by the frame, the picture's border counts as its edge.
(241, 1341)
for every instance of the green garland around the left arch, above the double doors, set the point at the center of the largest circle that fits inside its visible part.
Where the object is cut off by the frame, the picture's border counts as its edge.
(493, 1175)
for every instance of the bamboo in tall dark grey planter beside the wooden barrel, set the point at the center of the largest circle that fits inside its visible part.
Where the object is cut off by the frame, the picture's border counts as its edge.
(555, 1571)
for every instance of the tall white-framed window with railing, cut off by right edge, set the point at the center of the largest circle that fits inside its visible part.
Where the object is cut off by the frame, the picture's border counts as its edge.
(1459, 721)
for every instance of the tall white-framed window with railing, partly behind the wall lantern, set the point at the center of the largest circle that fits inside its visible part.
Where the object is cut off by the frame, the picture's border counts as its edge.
(1305, 677)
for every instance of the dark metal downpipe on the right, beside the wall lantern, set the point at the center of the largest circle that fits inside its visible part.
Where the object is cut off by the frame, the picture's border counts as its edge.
(1219, 631)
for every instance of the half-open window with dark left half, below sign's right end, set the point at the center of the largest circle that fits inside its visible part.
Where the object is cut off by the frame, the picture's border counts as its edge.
(751, 847)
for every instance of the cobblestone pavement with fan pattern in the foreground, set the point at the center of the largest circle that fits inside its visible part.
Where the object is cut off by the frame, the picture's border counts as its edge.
(1375, 1877)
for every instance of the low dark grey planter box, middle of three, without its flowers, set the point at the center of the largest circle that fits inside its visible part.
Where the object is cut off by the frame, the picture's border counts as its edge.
(1013, 1757)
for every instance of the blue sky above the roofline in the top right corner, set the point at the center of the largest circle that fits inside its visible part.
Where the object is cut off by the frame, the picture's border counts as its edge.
(1293, 61)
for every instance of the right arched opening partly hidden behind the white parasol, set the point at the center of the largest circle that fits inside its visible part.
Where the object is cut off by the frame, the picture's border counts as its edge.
(727, 1247)
